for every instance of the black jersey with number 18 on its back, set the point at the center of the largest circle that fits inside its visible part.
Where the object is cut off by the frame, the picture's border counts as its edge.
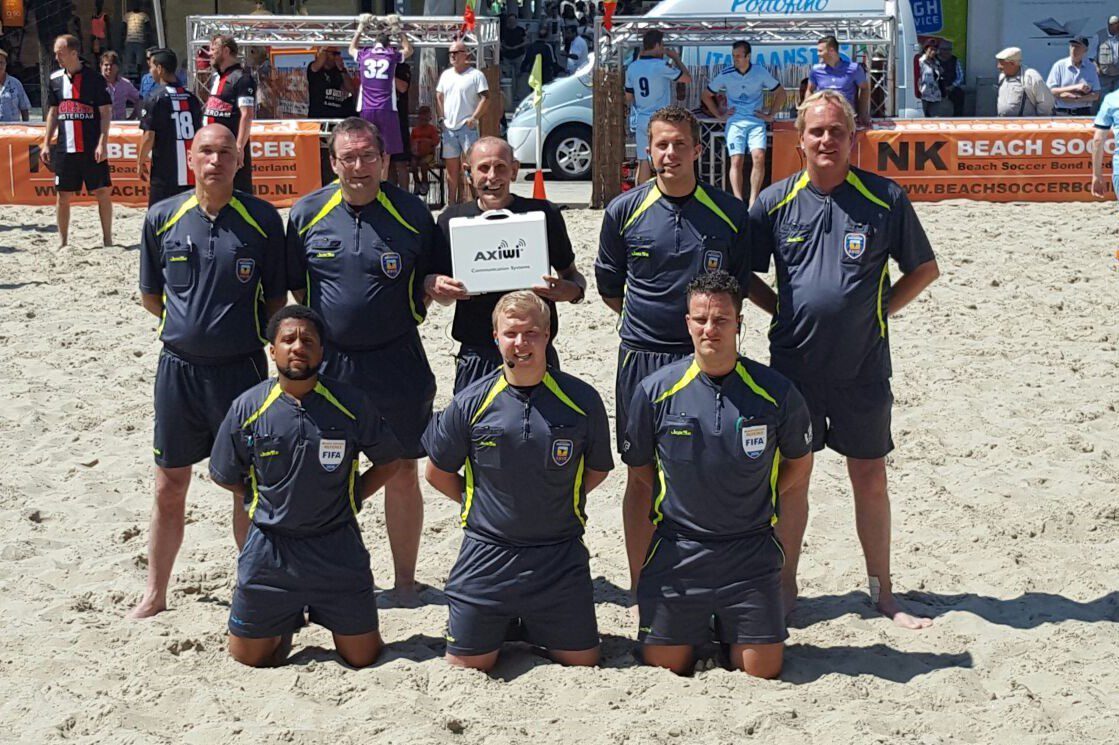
(174, 115)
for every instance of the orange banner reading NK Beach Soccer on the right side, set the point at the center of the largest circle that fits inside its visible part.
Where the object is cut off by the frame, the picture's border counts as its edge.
(984, 161)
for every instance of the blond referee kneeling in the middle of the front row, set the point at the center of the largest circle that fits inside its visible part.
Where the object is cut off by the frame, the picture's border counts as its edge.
(533, 444)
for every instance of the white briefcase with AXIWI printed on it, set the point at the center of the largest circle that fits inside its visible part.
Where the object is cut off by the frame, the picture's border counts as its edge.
(499, 251)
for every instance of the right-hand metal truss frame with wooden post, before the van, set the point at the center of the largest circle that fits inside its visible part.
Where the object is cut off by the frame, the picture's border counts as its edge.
(873, 39)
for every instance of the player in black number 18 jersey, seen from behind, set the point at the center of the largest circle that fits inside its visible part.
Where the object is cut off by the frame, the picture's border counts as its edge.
(170, 119)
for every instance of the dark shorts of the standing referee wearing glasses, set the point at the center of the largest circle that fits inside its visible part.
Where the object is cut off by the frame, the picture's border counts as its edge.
(399, 381)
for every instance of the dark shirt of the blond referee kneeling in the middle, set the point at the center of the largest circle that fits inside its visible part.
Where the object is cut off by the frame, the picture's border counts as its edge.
(525, 451)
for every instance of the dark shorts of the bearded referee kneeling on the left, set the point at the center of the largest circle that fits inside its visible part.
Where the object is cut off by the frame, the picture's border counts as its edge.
(280, 578)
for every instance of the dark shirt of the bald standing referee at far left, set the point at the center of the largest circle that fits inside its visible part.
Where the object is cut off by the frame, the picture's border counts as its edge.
(215, 275)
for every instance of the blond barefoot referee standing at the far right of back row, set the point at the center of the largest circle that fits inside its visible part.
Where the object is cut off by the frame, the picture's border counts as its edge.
(831, 232)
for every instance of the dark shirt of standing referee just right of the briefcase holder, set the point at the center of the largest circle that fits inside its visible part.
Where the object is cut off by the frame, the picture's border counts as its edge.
(652, 247)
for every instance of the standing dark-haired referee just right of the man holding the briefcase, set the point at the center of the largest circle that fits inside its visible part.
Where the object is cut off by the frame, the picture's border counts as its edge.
(655, 240)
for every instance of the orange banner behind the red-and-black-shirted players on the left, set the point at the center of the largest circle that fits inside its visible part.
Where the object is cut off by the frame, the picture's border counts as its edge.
(286, 164)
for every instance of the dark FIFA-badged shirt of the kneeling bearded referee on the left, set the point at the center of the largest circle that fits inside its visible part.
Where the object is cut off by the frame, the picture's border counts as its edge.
(300, 458)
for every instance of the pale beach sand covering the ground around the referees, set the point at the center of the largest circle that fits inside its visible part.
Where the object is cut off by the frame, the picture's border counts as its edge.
(1007, 527)
